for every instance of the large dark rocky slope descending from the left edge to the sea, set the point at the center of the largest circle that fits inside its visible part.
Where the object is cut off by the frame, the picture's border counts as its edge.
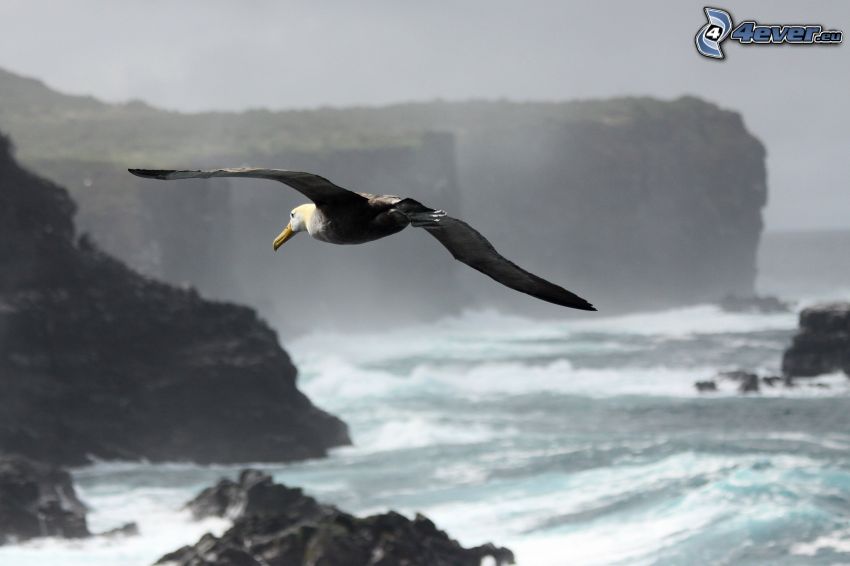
(98, 360)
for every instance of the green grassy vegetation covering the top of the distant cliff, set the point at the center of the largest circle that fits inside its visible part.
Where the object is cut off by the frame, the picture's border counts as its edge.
(46, 124)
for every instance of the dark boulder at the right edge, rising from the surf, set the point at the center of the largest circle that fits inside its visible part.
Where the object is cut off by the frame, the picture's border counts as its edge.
(822, 343)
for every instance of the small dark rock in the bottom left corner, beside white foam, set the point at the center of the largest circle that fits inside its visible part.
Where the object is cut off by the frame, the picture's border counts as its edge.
(37, 500)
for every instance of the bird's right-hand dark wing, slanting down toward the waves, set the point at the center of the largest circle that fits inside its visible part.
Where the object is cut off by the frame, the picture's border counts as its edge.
(473, 249)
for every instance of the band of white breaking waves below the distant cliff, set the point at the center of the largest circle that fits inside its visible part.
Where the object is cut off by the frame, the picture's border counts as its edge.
(484, 354)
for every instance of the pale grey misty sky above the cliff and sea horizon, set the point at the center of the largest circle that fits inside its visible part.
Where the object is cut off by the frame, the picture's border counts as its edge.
(212, 54)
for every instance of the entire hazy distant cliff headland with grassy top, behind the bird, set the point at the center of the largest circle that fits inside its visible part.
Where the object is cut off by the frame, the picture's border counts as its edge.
(633, 202)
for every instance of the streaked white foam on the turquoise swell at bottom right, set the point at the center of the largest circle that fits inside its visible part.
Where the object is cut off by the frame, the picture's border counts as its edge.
(634, 535)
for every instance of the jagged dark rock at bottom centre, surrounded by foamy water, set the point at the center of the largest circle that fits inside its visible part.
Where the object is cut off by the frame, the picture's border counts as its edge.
(278, 525)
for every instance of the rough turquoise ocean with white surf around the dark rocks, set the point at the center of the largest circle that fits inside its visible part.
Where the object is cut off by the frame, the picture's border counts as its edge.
(575, 441)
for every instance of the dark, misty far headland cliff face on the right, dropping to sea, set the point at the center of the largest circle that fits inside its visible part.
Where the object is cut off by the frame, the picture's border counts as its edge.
(656, 205)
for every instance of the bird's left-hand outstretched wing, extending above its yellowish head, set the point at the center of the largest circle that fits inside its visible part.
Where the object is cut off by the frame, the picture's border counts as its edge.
(316, 188)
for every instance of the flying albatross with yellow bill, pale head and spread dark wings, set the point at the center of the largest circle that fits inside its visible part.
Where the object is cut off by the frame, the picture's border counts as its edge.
(340, 216)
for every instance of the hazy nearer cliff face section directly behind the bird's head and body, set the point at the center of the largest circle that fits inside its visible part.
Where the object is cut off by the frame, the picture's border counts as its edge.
(216, 234)
